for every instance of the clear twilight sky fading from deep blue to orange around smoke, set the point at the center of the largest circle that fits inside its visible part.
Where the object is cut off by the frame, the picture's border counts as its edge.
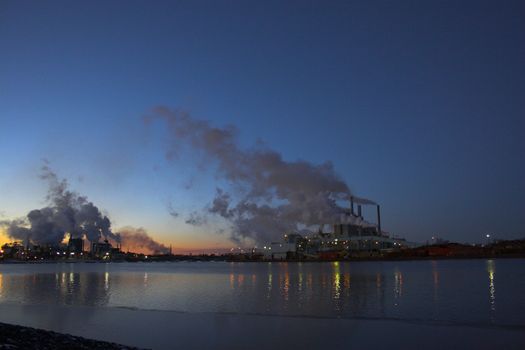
(419, 105)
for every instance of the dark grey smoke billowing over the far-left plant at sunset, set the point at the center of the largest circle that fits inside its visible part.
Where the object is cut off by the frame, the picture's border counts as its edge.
(67, 213)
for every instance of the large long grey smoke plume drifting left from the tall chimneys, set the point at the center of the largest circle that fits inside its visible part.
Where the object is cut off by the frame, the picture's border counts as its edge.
(270, 195)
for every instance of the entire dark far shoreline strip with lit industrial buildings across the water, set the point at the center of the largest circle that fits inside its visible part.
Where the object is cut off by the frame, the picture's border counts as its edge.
(351, 238)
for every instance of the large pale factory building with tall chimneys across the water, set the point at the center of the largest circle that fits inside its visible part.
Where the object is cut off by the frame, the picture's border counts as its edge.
(352, 236)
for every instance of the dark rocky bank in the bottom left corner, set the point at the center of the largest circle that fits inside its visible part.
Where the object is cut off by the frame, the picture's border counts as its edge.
(17, 337)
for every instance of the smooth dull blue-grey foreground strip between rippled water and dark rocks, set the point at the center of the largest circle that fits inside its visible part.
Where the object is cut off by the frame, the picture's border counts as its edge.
(168, 330)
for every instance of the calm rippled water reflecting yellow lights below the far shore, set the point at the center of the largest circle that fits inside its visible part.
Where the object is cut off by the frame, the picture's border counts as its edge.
(481, 292)
